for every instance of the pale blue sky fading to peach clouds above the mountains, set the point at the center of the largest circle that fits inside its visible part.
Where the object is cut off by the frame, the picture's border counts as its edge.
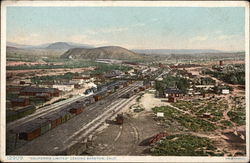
(220, 28)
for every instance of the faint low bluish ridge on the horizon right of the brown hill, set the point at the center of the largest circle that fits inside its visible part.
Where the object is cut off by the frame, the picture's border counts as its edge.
(175, 51)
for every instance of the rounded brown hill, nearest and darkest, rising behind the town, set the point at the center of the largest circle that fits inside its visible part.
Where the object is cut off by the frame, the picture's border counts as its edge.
(107, 52)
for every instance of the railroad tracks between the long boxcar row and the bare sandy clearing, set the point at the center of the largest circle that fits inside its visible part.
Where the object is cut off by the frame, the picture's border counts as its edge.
(77, 134)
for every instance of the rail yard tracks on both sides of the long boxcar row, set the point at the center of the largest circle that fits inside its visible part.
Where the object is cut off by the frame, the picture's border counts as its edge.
(92, 116)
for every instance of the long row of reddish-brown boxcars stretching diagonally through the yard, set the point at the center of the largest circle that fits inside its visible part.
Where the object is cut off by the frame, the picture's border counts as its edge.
(41, 125)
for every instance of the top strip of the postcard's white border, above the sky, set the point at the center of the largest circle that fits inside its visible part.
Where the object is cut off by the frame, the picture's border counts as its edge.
(130, 3)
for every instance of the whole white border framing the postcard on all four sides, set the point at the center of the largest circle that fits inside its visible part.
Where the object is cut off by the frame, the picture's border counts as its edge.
(121, 4)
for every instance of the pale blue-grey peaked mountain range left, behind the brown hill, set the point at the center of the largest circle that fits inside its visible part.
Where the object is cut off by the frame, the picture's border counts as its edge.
(52, 46)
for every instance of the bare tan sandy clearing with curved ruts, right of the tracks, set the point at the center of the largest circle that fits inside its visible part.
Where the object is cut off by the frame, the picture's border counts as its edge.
(126, 139)
